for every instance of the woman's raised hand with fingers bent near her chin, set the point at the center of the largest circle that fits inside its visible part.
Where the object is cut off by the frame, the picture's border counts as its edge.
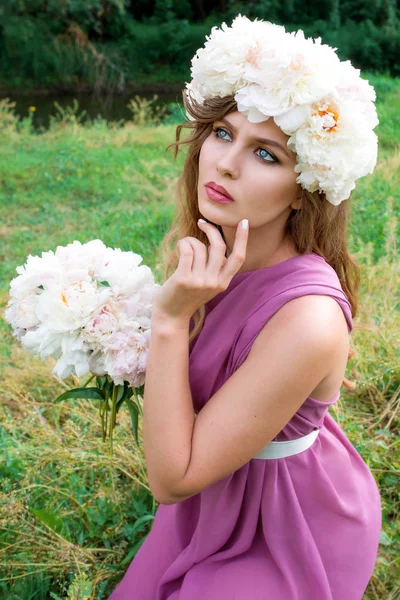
(195, 280)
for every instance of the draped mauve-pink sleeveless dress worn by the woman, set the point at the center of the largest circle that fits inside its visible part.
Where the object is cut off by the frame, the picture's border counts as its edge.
(304, 527)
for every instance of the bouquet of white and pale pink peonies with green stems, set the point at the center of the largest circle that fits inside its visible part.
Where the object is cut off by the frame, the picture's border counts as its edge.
(89, 307)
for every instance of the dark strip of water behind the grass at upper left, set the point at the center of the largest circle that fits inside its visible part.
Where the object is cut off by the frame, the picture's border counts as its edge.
(111, 108)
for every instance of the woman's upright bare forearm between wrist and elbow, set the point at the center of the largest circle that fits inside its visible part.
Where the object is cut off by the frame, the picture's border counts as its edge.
(168, 415)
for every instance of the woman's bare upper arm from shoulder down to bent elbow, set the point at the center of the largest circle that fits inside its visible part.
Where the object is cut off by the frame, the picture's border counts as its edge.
(290, 356)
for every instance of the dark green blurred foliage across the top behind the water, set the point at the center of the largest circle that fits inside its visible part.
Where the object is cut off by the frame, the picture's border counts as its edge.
(106, 43)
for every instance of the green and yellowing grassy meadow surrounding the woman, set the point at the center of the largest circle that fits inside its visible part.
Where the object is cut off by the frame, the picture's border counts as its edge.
(71, 516)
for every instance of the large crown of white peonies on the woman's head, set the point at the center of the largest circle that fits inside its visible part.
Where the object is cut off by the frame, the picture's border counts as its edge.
(318, 100)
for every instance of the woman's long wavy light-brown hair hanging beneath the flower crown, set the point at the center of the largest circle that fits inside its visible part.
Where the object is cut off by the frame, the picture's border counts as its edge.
(317, 227)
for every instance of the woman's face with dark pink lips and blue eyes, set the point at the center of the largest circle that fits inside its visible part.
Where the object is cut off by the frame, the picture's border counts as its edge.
(252, 162)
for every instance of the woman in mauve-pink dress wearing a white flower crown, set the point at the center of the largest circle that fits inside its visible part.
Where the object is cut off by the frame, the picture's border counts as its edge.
(263, 497)
